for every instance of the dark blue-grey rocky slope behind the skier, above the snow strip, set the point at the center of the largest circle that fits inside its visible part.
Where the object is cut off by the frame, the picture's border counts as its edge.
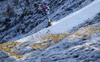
(27, 21)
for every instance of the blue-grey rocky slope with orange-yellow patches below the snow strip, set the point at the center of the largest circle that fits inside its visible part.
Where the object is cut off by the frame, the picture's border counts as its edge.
(81, 45)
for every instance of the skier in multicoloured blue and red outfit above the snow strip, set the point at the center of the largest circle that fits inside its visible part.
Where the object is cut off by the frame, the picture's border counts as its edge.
(44, 9)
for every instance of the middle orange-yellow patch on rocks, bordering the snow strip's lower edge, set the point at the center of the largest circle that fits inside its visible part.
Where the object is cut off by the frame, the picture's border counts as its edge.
(53, 37)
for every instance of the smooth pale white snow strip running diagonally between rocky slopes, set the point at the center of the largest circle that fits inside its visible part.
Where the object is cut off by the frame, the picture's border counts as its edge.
(67, 23)
